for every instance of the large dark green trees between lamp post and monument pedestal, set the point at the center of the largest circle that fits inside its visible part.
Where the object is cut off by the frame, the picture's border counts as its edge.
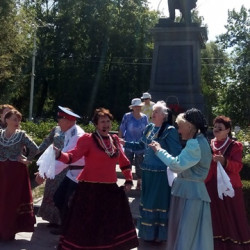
(95, 54)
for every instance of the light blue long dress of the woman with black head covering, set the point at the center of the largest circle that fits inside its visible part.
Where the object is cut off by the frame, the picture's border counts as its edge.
(190, 225)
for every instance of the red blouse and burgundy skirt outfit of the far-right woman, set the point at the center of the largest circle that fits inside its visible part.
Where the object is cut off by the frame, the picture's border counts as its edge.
(230, 227)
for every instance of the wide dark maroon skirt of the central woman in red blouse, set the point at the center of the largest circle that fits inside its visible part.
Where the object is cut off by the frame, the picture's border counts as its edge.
(99, 218)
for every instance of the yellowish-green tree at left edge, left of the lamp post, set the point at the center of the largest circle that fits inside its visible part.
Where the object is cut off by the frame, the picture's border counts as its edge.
(15, 47)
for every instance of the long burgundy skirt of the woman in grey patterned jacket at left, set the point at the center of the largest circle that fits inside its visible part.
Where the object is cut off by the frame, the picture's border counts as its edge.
(16, 206)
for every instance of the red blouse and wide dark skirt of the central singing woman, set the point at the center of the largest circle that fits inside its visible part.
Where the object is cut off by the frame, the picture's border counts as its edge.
(100, 216)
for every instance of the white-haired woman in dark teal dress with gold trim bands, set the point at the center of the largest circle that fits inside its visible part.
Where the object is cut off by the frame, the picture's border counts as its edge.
(156, 192)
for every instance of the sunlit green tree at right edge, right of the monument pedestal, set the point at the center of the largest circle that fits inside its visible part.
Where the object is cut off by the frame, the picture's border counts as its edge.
(233, 99)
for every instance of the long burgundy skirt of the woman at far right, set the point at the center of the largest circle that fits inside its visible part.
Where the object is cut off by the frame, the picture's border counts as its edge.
(230, 227)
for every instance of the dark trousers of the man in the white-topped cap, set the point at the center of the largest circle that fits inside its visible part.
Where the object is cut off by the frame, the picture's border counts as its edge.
(63, 196)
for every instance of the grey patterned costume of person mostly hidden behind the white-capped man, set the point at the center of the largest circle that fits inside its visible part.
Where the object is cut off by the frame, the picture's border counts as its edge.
(48, 211)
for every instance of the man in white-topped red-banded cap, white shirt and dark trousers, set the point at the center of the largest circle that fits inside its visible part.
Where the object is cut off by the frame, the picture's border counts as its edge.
(72, 132)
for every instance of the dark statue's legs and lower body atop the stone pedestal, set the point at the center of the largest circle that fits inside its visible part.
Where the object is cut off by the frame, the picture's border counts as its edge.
(185, 7)
